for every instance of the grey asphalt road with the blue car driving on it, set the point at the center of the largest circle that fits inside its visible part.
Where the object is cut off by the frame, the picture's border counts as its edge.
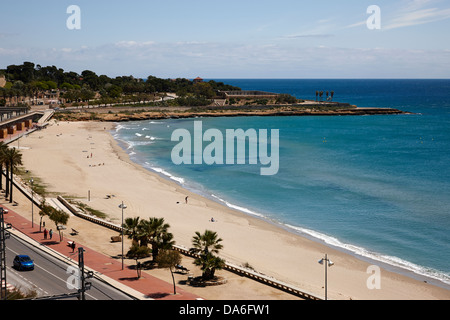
(51, 276)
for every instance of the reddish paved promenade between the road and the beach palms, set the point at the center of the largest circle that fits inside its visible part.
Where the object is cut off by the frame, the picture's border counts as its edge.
(146, 287)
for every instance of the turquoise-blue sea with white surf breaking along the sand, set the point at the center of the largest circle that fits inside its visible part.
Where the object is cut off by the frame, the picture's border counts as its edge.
(377, 186)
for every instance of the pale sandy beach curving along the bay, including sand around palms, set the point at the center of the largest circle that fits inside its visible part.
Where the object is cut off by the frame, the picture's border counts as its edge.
(61, 156)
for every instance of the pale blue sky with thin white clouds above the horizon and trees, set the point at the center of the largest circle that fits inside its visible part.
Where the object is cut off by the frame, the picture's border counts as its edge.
(231, 39)
